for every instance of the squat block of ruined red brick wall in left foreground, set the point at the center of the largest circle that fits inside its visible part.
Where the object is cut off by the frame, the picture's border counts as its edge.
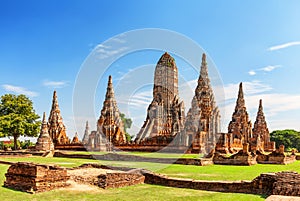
(33, 178)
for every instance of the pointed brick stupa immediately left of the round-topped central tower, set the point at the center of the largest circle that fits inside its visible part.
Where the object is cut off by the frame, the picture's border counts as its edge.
(110, 124)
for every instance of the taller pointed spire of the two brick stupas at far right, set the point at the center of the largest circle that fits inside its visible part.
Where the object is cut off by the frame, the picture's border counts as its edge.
(240, 127)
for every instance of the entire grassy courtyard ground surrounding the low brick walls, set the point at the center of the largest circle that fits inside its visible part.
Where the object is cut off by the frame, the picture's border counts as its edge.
(81, 191)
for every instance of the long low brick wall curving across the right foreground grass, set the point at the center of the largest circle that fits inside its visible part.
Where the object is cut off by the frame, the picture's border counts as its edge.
(282, 183)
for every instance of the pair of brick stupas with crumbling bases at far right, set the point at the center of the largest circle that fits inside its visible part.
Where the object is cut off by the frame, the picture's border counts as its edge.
(240, 130)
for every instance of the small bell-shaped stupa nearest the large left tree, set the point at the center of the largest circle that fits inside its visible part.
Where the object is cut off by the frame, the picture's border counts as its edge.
(44, 141)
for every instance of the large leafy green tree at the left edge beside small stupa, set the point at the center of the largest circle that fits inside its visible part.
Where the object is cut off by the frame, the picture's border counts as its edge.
(17, 117)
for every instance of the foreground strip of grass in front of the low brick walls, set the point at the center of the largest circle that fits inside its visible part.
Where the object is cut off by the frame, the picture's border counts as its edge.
(142, 192)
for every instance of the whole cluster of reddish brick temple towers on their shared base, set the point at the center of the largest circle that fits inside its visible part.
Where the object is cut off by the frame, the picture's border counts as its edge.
(166, 125)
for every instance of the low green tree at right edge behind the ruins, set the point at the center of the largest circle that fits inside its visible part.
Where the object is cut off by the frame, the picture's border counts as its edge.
(289, 138)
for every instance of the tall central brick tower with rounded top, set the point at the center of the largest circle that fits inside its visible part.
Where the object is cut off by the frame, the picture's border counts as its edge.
(165, 115)
